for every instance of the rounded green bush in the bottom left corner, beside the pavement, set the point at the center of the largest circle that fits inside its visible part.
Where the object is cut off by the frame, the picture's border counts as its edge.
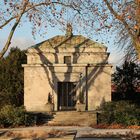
(11, 116)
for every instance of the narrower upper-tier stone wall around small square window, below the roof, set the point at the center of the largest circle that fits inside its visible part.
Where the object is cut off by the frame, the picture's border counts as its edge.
(52, 56)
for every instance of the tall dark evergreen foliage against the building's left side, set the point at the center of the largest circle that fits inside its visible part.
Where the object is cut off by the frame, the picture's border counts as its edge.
(11, 78)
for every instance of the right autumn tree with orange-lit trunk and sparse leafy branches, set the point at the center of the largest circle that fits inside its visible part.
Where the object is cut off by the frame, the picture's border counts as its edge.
(120, 16)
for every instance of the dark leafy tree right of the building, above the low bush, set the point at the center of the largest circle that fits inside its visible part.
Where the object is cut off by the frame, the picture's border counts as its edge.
(127, 81)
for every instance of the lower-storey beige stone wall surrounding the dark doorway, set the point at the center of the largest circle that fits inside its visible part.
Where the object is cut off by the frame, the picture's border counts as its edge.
(41, 80)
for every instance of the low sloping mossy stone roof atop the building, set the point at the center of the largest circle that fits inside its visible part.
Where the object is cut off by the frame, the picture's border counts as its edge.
(74, 41)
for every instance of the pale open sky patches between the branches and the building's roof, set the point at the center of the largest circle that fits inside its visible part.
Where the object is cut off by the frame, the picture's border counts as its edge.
(24, 39)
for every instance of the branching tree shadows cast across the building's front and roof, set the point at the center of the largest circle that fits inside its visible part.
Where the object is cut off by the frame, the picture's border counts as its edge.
(49, 68)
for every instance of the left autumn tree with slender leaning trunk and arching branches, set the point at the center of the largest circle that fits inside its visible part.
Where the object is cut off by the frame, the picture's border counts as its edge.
(40, 13)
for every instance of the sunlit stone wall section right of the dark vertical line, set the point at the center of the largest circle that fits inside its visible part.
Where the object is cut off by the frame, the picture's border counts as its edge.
(99, 89)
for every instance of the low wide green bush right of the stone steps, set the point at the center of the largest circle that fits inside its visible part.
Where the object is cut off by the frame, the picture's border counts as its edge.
(121, 112)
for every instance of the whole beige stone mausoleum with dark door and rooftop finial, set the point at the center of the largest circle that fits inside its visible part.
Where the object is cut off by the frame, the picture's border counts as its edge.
(68, 70)
